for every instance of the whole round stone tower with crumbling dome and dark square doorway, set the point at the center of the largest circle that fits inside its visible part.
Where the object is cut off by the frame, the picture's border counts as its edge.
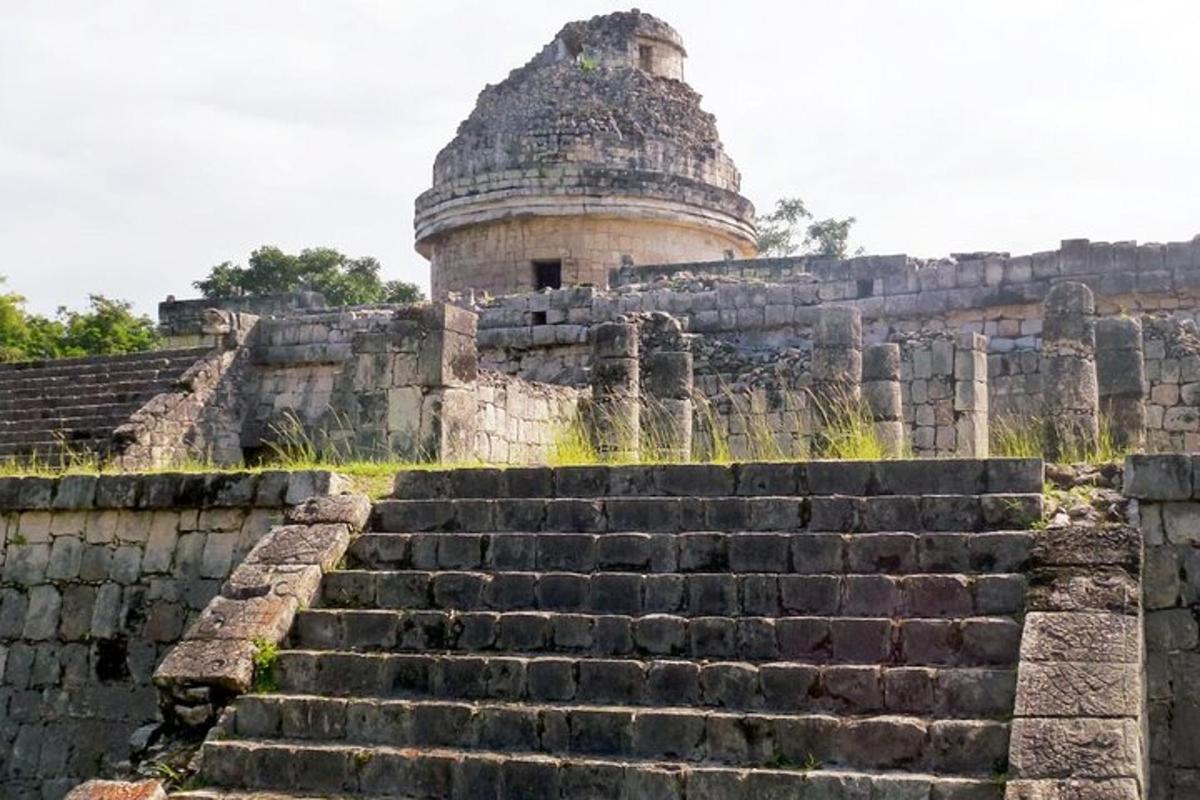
(593, 155)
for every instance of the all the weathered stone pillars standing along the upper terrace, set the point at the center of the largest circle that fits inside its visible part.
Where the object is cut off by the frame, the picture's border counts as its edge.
(643, 382)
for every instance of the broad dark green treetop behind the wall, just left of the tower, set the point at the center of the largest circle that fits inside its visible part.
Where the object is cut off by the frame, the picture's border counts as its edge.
(344, 281)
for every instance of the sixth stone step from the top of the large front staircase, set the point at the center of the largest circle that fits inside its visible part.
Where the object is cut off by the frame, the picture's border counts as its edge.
(781, 687)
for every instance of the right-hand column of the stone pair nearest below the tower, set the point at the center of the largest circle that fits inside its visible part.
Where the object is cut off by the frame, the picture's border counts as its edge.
(667, 384)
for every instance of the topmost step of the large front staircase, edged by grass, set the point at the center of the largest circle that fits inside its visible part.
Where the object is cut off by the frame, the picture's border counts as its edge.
(818, 478)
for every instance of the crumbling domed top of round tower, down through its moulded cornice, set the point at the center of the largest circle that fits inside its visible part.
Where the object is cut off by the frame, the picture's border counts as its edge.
(599, 122)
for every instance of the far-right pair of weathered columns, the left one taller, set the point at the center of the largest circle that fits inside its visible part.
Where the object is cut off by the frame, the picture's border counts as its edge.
(1094, 375)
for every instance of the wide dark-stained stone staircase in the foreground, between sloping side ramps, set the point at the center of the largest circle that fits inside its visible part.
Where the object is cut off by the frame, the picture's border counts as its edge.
(826, 630)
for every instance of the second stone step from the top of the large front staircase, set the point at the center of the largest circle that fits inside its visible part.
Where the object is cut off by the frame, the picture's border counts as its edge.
(937, 513)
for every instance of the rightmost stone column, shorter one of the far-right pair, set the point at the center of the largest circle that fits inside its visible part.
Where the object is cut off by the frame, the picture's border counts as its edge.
(1121, 381)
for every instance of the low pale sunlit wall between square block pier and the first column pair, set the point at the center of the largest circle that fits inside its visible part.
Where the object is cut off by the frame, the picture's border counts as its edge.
(519, 422)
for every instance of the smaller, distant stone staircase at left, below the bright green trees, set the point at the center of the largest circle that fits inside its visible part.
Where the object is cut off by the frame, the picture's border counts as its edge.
(68, 408)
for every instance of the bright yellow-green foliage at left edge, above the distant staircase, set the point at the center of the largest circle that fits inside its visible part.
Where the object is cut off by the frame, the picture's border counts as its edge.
(109, 328)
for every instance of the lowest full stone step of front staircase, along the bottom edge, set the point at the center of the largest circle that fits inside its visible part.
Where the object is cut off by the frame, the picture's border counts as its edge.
(441, 774)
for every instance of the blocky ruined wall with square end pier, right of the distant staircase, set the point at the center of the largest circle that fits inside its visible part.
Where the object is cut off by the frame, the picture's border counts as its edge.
(369, 383)
